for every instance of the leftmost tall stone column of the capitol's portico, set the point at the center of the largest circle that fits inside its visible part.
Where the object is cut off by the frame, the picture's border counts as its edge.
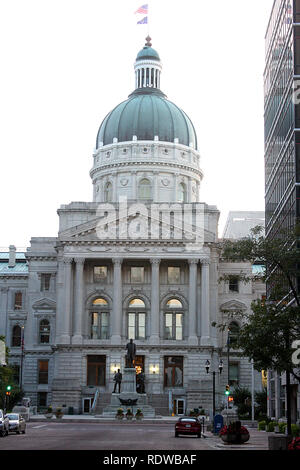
(67, 313)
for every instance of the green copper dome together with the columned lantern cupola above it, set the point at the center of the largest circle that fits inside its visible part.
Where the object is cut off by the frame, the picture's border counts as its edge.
(147, 113)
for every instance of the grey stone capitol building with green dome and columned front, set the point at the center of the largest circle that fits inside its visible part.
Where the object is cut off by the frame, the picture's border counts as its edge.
(141, 261)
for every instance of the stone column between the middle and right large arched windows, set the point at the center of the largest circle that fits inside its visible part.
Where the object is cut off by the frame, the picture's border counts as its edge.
(154, 315)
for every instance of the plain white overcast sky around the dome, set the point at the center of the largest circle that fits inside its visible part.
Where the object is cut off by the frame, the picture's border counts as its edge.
(67, 63)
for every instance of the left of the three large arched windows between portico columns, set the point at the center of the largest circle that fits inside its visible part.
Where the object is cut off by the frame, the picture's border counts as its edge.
(99, 319)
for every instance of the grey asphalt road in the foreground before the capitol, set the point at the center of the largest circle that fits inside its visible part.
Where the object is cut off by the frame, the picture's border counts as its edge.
(101, 436)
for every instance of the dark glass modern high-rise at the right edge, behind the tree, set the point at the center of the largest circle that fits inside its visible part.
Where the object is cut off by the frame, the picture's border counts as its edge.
(282, 155)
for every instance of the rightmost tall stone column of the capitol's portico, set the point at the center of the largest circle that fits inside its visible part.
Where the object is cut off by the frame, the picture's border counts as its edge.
(205, 311)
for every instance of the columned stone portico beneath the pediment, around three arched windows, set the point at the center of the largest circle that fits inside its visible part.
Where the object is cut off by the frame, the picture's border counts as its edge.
(155, 285)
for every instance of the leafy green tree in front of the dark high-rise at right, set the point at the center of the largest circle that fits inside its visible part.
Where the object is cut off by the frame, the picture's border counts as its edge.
(268, 333)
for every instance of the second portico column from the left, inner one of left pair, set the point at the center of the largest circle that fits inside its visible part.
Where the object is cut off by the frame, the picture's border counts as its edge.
(78, 314)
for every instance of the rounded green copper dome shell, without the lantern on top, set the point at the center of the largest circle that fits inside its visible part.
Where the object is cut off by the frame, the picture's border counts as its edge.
(146, 114)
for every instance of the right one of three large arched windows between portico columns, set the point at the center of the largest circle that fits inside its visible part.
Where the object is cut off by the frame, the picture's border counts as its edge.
(173, 319)
